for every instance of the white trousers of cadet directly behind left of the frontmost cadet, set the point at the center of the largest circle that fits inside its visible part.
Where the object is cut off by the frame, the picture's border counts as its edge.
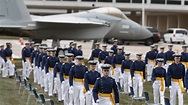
(89, 98)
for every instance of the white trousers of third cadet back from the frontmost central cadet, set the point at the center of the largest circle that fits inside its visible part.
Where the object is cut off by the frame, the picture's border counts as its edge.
(78, 93)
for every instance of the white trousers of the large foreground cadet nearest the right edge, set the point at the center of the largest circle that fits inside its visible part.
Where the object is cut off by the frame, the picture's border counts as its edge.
(176, 90)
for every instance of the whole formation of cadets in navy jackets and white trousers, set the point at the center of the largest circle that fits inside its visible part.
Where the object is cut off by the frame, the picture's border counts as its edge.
(109, 71)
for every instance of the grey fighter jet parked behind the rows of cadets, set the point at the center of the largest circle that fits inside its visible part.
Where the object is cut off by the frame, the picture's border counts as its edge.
(99, 23)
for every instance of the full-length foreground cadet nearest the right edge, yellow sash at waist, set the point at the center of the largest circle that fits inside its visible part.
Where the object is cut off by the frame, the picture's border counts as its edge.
(175, 80)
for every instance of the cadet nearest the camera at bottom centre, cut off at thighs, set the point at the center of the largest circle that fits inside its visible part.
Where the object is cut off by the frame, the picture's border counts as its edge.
(105, 88)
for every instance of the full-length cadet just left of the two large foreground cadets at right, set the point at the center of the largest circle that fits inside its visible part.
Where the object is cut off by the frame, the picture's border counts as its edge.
(138, 75)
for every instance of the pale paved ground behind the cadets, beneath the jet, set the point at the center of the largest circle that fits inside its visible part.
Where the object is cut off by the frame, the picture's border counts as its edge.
(133, 48)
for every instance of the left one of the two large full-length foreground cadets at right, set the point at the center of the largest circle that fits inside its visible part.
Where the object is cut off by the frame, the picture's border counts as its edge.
(158, 78)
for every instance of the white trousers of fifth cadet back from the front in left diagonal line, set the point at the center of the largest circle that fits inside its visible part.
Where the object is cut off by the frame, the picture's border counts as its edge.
(57, 87)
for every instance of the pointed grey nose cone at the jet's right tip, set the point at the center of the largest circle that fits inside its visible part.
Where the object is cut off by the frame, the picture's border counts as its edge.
(145, 33)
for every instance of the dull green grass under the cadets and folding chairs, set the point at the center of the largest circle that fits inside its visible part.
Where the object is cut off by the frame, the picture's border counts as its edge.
(9, 96)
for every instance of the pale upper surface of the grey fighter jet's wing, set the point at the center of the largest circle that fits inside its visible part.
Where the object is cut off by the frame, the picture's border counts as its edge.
(71, 20)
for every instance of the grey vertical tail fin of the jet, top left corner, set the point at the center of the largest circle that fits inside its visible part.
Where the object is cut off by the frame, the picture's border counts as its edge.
(14, 10)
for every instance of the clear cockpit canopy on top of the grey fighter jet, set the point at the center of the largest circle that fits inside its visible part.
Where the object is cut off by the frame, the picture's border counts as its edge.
(110, 11)
